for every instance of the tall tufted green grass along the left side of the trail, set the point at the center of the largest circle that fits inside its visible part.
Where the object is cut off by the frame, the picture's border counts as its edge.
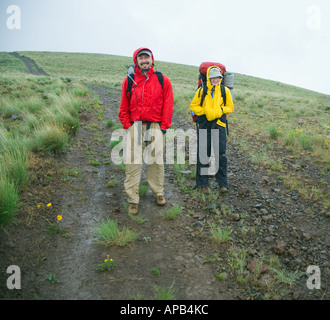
(36, 114)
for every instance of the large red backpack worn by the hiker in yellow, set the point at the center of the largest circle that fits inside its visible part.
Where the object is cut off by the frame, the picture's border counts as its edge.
(228, 81)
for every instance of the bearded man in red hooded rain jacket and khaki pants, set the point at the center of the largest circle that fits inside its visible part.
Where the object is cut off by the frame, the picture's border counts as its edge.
(146, 113)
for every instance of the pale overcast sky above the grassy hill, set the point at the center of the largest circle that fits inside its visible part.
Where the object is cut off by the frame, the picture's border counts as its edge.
(282, 40)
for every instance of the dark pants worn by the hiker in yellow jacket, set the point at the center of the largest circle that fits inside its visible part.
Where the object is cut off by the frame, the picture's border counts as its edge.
(210, 133)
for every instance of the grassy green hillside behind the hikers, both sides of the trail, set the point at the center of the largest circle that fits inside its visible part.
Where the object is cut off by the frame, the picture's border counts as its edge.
(272, 122)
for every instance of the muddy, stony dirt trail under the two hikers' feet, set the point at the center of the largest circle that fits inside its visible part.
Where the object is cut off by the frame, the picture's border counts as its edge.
(258, 210)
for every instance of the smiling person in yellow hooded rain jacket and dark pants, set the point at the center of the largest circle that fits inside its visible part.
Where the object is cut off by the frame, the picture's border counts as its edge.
(211, 127)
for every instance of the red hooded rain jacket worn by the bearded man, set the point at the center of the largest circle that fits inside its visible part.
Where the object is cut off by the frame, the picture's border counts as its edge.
(148, 101)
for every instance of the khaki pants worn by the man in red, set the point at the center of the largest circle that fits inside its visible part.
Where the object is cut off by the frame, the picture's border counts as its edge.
(144, 146)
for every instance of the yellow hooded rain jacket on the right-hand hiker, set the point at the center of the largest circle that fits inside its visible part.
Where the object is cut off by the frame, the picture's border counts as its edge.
(213, 107)
